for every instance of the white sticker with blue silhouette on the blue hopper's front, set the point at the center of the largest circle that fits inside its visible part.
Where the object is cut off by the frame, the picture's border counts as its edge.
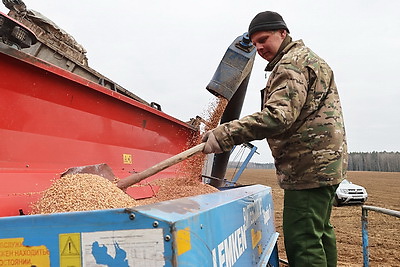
(139, 247)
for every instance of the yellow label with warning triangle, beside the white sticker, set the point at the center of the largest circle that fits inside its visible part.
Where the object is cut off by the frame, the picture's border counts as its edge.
(70, 250)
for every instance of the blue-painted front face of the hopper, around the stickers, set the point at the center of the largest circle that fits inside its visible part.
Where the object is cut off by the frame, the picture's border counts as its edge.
(45, 230)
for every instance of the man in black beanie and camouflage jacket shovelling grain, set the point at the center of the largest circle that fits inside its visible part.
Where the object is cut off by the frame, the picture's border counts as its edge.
(302, 121)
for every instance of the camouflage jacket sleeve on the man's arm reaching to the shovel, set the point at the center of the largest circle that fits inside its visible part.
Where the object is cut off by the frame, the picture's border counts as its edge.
(286, 95)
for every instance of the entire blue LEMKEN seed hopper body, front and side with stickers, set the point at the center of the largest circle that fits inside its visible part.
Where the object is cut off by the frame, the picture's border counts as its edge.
(230, 228)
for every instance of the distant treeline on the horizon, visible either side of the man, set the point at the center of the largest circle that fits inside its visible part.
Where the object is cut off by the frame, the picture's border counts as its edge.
(358, 161)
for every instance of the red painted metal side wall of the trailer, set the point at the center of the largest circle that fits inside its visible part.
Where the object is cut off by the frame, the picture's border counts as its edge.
(52, 119)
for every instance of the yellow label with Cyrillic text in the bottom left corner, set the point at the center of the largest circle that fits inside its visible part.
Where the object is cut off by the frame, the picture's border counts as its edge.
(14, 253)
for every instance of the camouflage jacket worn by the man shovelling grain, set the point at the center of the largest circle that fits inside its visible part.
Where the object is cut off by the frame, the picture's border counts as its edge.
(301, 120)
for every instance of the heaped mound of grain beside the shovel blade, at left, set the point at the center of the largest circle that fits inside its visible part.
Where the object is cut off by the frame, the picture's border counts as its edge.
(81, 192)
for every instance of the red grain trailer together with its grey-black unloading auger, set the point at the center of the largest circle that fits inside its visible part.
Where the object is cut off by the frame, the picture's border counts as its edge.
(57, 113)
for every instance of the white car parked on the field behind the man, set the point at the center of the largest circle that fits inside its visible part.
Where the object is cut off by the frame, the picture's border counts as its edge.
(349, 193)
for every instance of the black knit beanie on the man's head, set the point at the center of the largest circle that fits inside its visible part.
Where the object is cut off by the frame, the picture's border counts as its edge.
(267, 21)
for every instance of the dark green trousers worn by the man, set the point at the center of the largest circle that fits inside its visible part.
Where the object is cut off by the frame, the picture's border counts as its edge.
(309, 237)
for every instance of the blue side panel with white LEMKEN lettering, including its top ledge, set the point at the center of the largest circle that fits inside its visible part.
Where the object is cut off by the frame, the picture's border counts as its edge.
(216, 223)
